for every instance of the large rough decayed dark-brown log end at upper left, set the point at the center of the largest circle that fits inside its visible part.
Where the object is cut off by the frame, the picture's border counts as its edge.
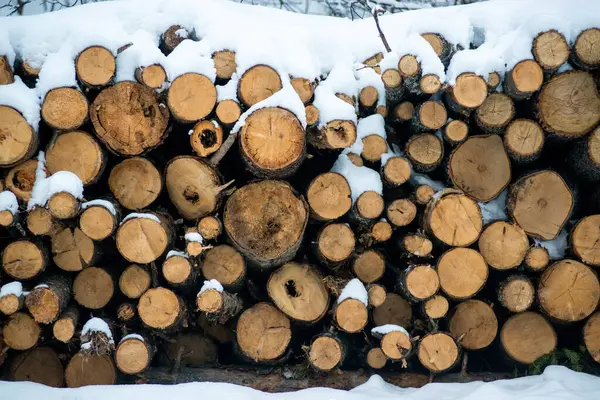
(129, 107)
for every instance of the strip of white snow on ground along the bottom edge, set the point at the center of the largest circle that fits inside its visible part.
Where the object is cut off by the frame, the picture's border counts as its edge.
(556, 383)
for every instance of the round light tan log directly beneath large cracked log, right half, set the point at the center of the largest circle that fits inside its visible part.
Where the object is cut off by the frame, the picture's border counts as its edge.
(462, 272)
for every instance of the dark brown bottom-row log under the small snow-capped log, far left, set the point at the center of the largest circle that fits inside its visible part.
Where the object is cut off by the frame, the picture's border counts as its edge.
(85, 370)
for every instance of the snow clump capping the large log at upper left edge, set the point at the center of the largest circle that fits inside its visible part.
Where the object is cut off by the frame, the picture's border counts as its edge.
(22, 99)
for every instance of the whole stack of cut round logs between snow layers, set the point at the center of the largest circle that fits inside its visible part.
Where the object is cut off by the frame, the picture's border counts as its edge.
(426, 226)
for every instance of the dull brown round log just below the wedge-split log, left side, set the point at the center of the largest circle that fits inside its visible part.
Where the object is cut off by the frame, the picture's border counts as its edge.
(93, 288)
